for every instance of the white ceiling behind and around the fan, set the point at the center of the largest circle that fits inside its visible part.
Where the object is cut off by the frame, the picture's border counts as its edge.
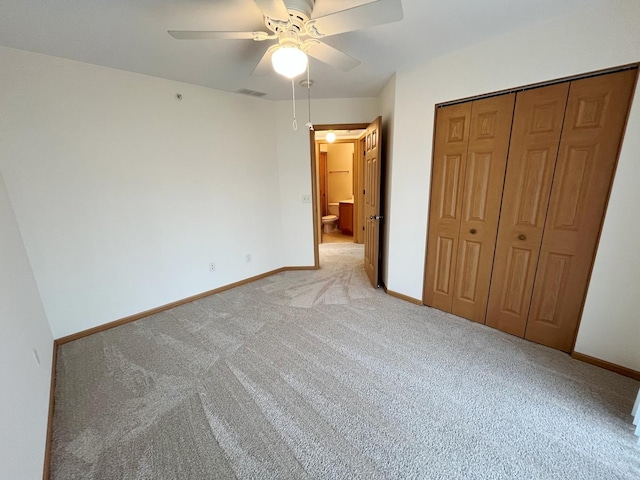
(132, 35)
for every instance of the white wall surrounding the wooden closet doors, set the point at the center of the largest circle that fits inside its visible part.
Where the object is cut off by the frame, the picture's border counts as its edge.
(587, 40)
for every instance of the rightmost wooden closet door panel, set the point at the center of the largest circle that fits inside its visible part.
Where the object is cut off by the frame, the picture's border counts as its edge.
(596, 114)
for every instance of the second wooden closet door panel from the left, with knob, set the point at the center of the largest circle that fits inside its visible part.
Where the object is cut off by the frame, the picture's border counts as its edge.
(491, 120)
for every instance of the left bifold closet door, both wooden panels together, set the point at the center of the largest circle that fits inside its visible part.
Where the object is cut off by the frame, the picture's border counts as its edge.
(470, 155)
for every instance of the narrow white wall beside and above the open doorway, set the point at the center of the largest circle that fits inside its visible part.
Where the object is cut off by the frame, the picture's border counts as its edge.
(294, 165)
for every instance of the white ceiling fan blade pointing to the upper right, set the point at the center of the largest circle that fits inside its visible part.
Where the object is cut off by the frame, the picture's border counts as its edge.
(357, 18)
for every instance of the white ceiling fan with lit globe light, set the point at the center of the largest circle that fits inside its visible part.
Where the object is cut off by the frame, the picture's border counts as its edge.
(297, 32)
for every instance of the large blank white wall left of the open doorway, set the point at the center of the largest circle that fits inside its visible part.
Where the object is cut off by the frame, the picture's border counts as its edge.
(124, 194)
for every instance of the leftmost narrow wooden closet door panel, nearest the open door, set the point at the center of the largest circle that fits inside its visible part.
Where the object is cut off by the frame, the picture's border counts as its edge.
(449, 160)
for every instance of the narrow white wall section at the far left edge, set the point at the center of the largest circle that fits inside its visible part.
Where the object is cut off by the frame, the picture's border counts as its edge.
(24, 401)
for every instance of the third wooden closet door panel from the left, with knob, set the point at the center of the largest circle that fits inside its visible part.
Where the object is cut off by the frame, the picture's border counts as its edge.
(535, 136)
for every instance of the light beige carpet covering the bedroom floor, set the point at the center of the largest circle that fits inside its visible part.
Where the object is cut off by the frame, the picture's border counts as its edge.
(317, 375)
